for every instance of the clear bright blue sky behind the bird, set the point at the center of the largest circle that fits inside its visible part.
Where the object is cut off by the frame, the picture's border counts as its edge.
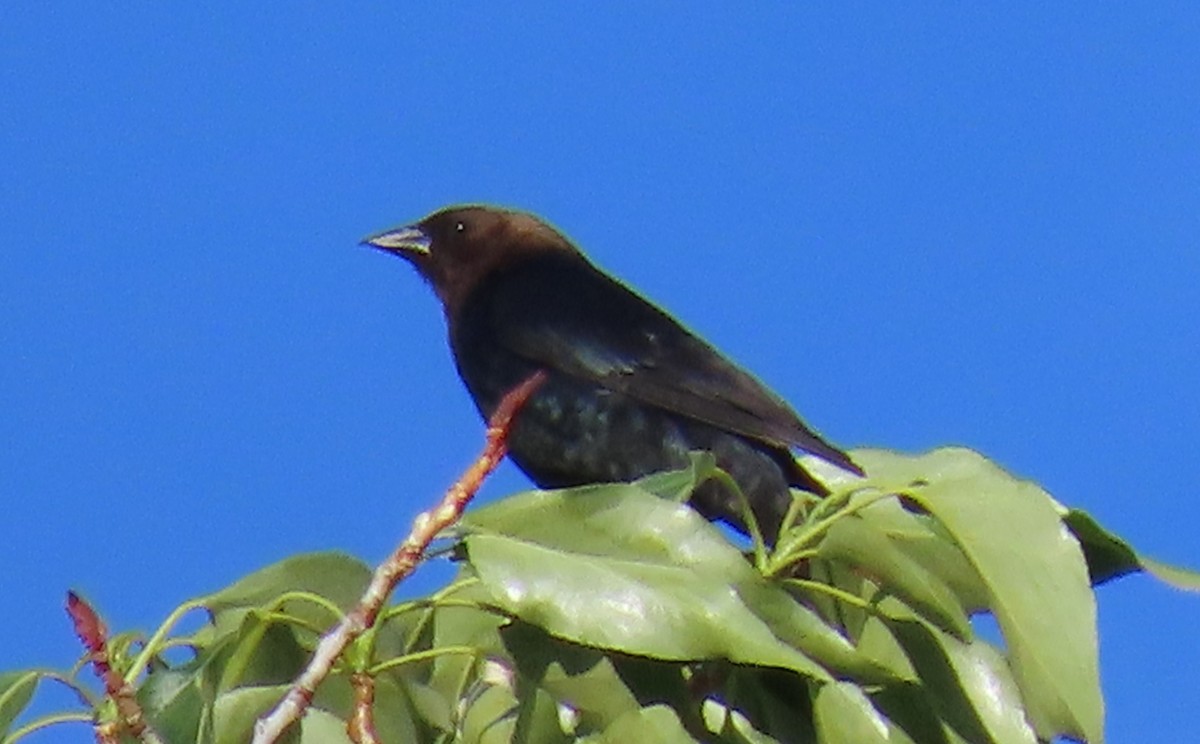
(922, 226)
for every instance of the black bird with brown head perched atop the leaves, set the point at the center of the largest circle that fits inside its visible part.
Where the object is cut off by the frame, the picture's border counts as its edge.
(628, 392)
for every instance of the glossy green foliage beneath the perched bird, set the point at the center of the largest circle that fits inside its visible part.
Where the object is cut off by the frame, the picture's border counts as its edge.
(616, 614)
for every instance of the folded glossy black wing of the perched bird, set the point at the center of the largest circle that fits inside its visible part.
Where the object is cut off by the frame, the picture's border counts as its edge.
(571, 317)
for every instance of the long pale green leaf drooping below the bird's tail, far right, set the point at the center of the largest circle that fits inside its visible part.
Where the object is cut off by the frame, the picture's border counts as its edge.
(1035, 572)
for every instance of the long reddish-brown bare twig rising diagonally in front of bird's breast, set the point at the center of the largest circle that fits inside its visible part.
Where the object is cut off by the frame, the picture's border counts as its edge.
(399, 566)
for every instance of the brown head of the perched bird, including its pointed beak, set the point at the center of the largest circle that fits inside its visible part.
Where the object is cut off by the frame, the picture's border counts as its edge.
(455, 248)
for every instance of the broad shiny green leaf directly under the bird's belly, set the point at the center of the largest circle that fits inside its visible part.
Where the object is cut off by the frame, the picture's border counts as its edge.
(617, 568)
